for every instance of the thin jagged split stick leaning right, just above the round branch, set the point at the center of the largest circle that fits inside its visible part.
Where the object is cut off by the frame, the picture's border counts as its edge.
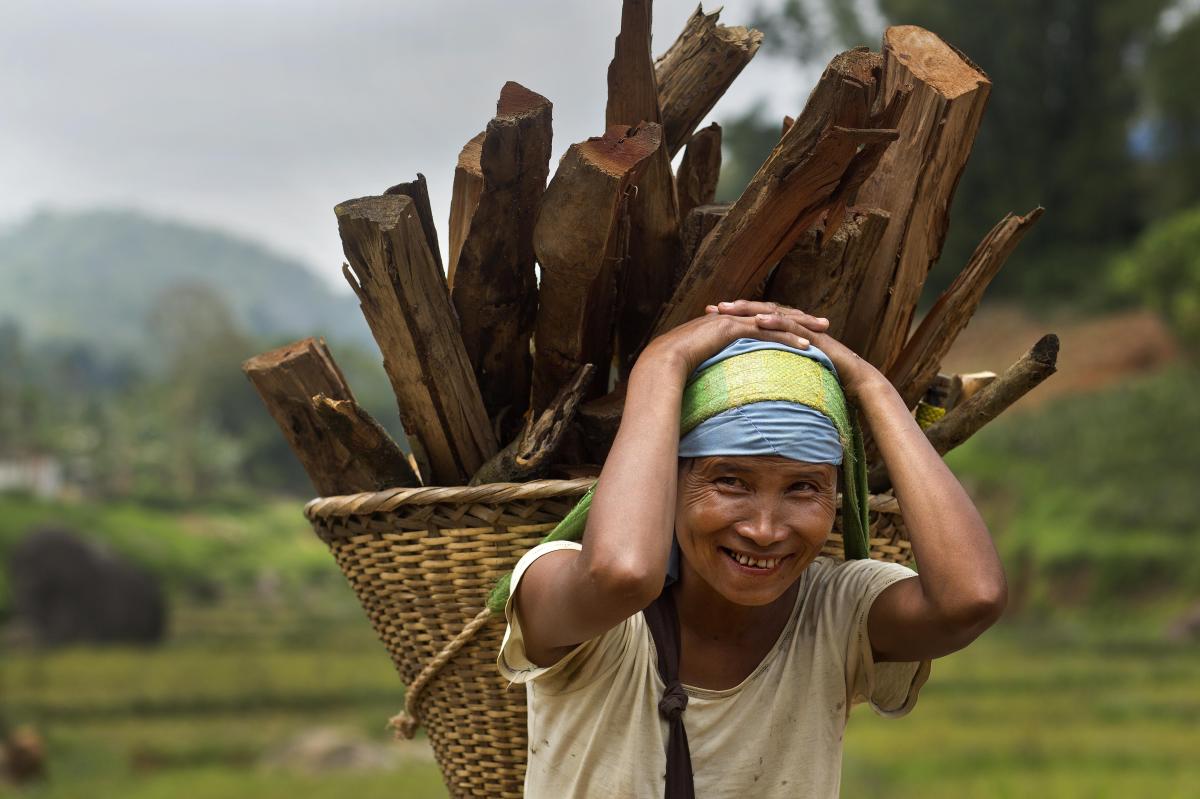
(919, 363)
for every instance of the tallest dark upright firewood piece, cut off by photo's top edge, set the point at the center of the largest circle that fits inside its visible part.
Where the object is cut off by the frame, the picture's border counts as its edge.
(651, 267)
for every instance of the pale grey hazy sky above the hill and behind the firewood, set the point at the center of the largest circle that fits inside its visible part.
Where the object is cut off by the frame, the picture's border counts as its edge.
(257, 117)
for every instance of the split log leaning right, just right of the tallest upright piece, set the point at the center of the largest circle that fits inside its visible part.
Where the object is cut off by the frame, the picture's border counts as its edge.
(697, 70)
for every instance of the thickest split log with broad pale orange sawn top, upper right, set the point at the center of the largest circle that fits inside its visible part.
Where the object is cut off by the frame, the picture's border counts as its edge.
(915, 183)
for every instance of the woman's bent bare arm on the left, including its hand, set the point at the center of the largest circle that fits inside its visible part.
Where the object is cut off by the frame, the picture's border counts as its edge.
(568, 597)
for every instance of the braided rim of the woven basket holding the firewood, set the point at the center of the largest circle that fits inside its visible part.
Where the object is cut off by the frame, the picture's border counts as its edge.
(389, 500)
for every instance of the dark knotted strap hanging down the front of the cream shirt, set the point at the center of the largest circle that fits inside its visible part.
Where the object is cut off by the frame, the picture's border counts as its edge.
(664, 624)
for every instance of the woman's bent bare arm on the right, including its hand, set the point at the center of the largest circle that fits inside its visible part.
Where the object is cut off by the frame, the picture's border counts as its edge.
(961, 590)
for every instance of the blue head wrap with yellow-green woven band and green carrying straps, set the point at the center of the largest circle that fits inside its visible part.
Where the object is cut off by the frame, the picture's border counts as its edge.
(758, 398)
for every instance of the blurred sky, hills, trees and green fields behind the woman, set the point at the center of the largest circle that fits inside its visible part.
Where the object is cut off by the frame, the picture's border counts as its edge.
(170, 626)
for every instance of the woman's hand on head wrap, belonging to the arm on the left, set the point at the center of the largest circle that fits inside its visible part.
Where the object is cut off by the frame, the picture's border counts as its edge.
(687, 347)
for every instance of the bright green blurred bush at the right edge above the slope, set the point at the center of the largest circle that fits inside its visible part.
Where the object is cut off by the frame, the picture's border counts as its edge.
(1162, 271)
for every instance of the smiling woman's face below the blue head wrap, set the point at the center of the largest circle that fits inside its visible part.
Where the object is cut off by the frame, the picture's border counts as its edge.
(748, 526)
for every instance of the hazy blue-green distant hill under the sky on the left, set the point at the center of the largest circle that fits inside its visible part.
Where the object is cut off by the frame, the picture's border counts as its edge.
(77, 277)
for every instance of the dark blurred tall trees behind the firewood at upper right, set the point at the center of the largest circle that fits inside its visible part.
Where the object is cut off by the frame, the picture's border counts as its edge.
(1075, 89)
